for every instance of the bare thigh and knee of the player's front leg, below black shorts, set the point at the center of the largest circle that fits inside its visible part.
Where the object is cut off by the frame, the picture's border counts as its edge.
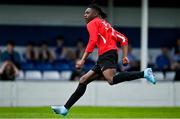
(88, 77)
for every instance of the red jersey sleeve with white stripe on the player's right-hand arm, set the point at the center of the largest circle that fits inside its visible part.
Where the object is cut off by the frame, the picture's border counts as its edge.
(122, 39)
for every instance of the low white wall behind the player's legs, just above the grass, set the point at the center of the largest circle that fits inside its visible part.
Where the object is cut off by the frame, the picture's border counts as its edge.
(97, 94)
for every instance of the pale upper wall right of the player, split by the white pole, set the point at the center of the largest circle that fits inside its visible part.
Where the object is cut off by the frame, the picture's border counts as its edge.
(158, 17)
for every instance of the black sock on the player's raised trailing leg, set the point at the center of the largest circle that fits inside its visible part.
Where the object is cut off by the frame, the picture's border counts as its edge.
(127, 76)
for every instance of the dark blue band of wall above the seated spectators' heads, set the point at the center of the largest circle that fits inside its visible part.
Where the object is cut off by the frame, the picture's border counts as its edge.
(22, 34)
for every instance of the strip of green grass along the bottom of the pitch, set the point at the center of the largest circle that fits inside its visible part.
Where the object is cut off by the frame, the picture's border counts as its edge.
(92, 112)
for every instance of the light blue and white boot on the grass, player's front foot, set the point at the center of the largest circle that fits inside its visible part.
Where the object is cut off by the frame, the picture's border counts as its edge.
(60, 110)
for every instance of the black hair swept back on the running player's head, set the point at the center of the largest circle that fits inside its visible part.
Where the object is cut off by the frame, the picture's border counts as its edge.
(98, 9)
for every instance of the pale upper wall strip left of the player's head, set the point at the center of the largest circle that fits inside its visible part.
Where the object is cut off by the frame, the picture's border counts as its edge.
(41, 15)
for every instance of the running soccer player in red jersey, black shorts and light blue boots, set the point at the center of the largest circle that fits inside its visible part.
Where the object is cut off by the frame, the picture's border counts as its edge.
(102, 35)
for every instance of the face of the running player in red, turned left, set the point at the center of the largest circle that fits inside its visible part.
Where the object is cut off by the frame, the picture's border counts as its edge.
(89, 14)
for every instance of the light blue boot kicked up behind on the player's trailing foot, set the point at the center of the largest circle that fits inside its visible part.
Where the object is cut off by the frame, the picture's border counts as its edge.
(148, 74)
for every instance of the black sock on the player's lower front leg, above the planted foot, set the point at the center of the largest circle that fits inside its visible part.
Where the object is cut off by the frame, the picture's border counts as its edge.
(76, 95)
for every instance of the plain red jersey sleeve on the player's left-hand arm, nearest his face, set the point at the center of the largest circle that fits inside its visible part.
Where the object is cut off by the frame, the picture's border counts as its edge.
(93, 36)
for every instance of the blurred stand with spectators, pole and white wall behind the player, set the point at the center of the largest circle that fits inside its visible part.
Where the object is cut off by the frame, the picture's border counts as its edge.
(40, 42)
